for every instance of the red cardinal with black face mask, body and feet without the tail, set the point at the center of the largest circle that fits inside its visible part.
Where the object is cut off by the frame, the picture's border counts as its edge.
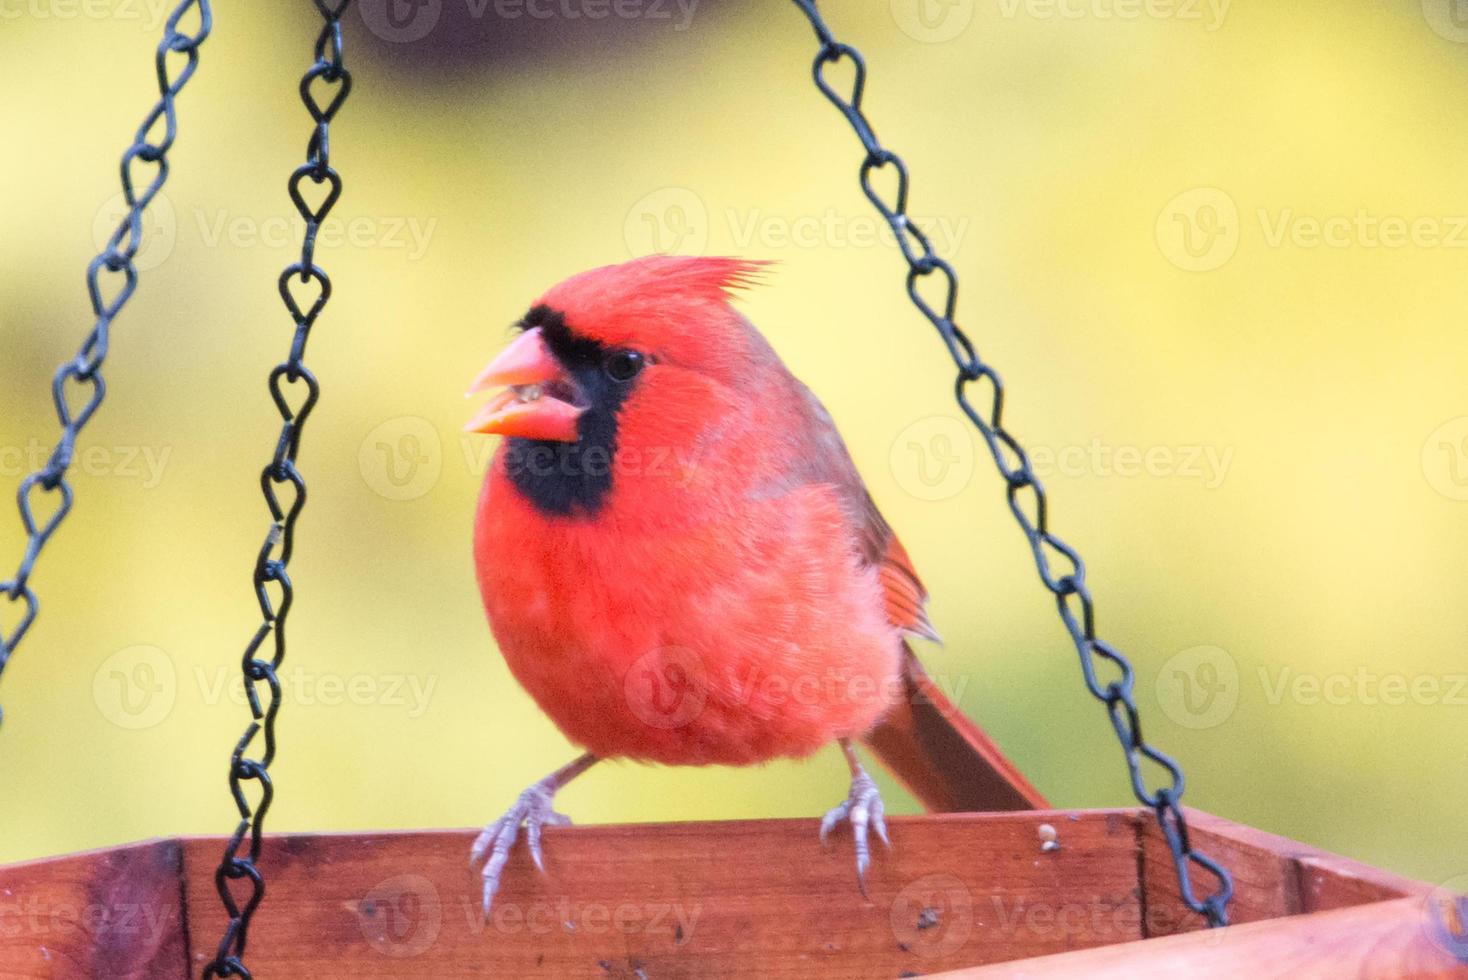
(677, 557)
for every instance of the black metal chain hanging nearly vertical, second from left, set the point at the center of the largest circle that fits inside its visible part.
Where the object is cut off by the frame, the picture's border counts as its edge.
(281, 478)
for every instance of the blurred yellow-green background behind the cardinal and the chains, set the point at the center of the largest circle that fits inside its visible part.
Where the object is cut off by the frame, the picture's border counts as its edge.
(1218, 252)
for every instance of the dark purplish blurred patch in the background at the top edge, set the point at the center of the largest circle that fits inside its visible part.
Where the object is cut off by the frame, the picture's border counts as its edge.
(444, 40)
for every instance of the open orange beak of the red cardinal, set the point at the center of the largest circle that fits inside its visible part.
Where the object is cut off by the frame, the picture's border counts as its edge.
(529, 407)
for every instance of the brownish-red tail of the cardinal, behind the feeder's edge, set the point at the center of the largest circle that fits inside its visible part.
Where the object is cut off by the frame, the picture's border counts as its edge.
(945, 759)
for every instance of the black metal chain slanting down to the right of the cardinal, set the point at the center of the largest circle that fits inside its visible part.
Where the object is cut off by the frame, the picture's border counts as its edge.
(1069, 588)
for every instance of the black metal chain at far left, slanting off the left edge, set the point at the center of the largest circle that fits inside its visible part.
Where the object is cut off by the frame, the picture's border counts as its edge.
(83, 373)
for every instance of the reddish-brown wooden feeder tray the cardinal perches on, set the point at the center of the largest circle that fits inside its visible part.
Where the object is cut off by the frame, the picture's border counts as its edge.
(961, 896)
